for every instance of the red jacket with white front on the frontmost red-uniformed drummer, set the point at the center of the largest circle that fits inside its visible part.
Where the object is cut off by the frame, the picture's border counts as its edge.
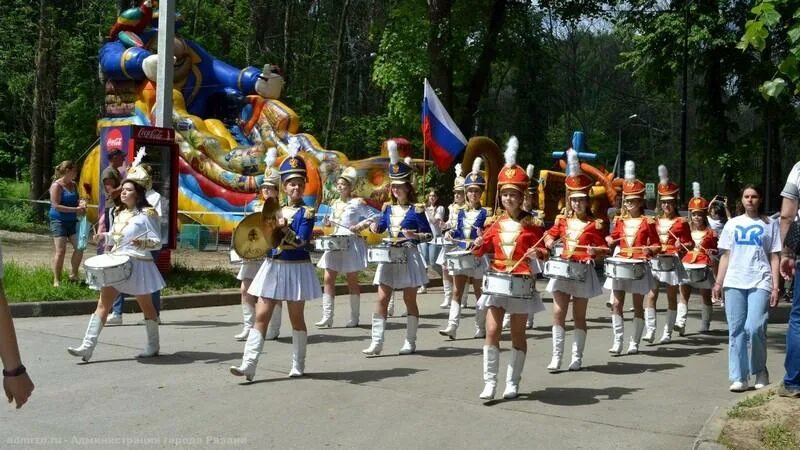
(510, 239)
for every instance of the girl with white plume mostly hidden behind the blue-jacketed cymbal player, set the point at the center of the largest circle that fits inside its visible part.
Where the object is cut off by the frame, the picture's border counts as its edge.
(248, 269)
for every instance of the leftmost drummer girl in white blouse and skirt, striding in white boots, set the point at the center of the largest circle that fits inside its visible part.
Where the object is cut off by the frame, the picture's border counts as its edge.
(134, 233)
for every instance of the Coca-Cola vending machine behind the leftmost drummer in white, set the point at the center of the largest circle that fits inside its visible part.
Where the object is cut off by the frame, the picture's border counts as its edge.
(161, 154)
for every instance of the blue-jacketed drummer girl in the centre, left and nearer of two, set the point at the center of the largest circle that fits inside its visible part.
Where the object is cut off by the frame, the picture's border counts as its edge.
(403, 220)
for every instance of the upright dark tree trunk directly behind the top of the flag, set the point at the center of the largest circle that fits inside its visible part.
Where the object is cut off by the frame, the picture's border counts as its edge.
(438, 54)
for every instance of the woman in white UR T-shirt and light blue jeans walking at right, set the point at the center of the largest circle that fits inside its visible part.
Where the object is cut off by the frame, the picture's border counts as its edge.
(748, 279)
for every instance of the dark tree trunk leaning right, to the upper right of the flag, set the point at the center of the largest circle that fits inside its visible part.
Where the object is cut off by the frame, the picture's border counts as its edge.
(480, 77)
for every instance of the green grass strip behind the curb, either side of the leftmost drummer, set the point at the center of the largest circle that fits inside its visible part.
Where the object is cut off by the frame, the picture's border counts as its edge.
(34, 284)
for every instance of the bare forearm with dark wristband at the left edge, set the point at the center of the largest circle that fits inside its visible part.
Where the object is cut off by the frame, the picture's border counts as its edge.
(16, 382)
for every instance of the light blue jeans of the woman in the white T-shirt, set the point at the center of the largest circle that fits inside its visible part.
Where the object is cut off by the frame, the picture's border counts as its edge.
(746, 311)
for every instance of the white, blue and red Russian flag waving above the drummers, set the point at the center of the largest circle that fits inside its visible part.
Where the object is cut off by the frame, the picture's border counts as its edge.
(440, 134)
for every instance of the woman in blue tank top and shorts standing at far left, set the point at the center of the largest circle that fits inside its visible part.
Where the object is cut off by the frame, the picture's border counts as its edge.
(64, 209)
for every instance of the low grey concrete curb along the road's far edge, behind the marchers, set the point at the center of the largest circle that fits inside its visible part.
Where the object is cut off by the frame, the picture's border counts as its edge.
(222, 297)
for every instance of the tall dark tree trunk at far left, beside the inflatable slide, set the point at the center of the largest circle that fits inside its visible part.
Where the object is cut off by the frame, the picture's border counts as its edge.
(43, 123)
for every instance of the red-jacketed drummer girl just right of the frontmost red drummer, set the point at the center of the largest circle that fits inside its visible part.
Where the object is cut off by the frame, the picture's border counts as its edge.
(583, 237)
